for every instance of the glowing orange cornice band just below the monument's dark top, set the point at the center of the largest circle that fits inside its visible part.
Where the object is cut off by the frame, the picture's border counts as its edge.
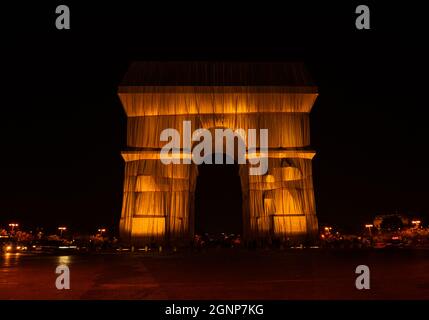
(155, 101)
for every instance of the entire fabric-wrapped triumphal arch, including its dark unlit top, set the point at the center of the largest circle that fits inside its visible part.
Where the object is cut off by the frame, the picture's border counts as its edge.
(158, 201)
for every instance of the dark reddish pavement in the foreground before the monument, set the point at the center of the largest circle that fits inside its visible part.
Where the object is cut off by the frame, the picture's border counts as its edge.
(219, 274)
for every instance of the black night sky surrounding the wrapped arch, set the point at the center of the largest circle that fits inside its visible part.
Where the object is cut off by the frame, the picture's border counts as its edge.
(63, 127)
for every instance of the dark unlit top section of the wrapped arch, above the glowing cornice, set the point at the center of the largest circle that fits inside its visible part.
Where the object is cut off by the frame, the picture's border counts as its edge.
(209, 73)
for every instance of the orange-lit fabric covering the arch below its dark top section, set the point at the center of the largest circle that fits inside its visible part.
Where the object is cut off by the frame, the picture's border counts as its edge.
(158, 200)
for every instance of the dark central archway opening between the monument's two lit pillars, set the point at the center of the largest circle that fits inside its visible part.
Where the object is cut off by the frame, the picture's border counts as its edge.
(218, 199)
